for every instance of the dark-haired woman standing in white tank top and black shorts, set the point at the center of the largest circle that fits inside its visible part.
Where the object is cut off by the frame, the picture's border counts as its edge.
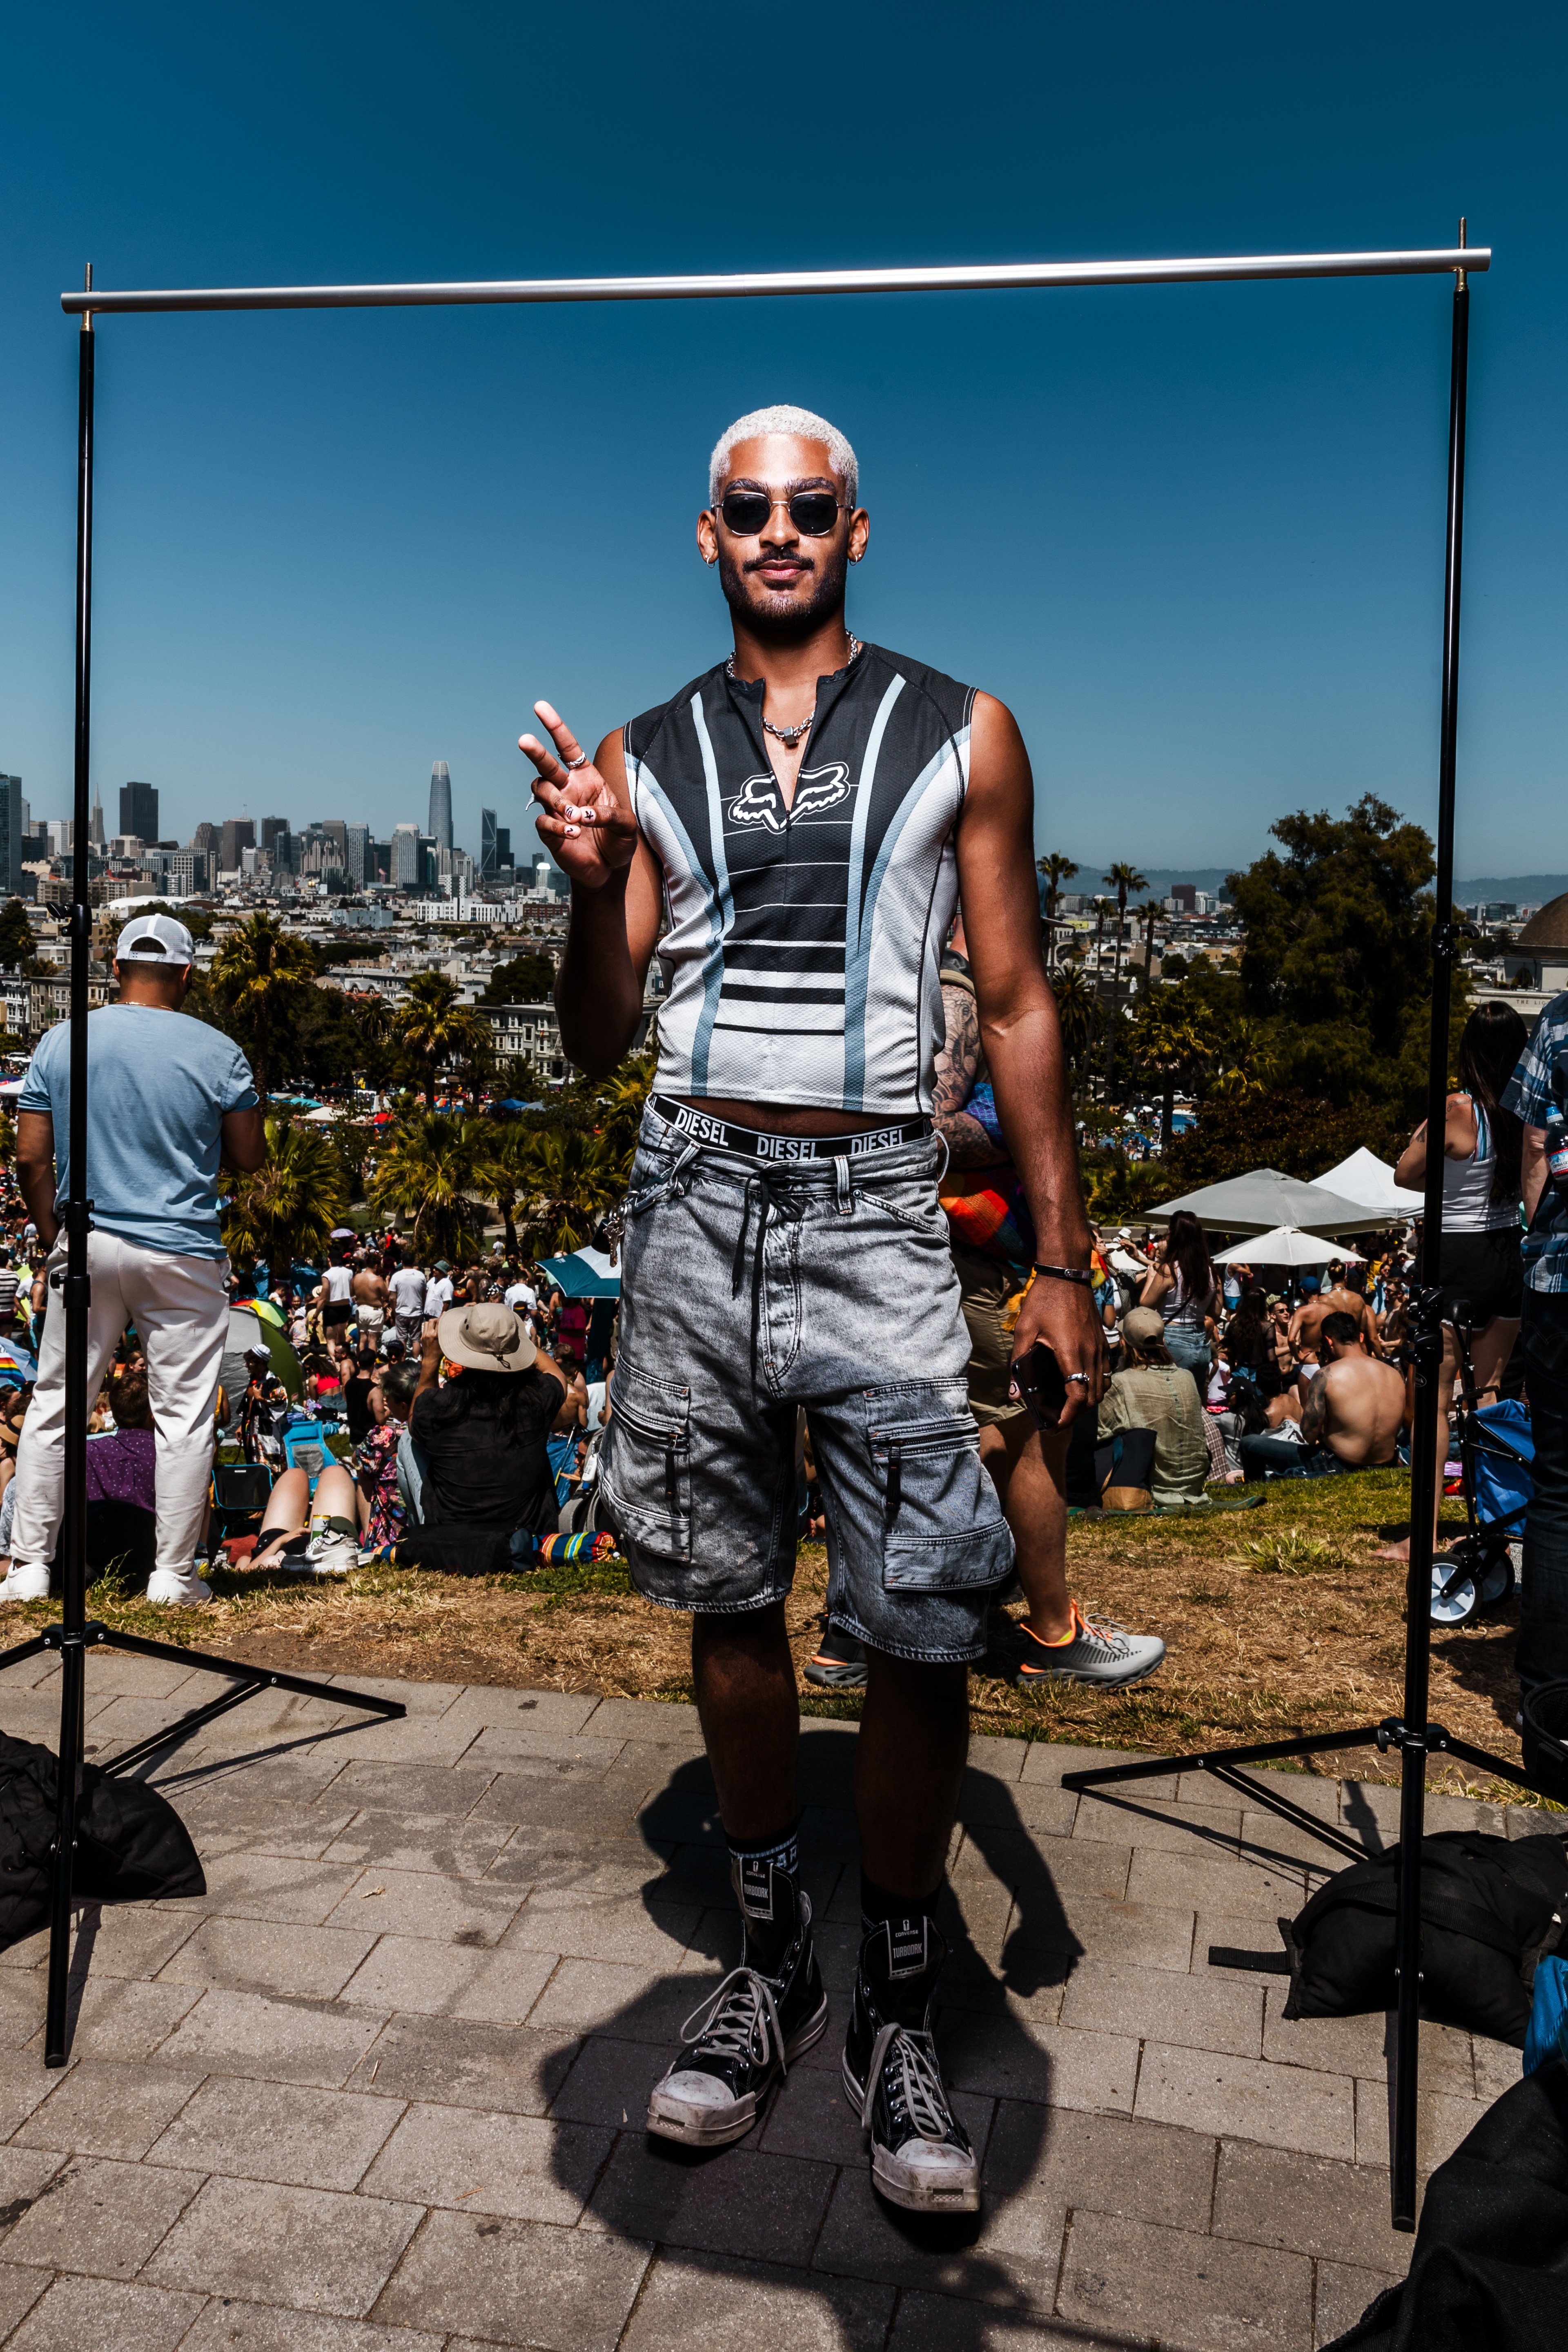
(1480, 1264)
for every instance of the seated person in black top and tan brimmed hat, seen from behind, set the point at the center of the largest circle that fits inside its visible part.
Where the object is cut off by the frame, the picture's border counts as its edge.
(481, 1431)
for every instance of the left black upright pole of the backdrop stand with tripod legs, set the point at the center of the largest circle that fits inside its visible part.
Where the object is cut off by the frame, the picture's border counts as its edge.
(74, 1636)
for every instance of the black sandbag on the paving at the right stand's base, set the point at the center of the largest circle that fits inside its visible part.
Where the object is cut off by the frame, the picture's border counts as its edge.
(1492, 1909)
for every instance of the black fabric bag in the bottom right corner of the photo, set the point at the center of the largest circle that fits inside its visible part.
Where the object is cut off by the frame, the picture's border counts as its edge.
(1492, 2243)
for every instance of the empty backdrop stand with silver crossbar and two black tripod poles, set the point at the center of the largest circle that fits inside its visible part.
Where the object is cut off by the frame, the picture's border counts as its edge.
(1412, 1732)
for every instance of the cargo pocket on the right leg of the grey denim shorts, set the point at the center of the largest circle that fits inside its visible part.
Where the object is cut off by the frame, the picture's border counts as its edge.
(942, 1518)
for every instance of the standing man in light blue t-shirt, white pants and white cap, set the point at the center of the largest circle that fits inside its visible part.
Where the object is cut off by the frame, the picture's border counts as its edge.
(168, 1102)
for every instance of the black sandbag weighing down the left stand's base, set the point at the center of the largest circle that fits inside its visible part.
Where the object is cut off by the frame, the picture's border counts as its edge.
(130, 1843)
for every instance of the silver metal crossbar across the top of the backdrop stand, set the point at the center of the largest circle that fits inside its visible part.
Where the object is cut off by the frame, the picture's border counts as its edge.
(951, 279)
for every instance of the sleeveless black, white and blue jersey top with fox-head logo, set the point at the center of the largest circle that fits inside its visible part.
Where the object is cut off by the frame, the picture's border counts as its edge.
(803, 949)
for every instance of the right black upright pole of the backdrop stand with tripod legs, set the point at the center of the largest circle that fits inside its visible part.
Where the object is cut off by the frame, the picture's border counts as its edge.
(1414, 1737)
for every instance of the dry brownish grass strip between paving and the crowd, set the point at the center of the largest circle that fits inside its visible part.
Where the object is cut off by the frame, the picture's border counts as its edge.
(1275, 1619)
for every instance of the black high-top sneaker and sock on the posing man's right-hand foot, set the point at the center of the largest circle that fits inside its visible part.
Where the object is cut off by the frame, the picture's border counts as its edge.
(920, 2151)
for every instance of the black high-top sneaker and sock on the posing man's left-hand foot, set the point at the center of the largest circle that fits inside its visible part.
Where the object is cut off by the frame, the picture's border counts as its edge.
(763, 2017)
